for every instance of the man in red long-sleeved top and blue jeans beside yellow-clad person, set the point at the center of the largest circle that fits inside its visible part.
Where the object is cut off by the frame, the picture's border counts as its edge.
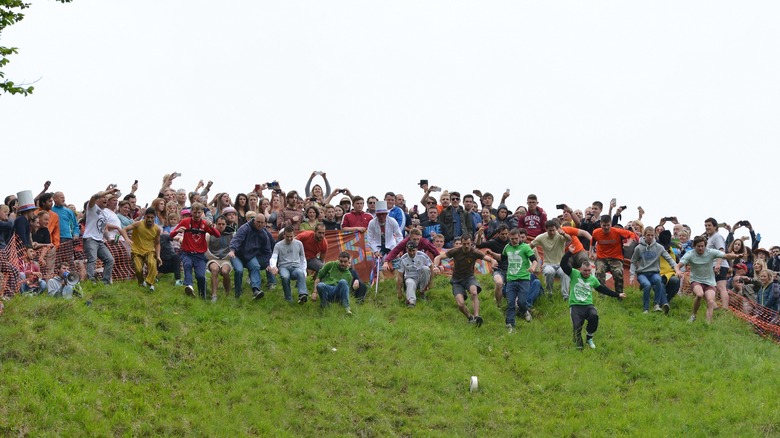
(193, 248)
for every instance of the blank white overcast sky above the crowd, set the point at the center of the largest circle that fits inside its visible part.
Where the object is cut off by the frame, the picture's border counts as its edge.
(673, 106)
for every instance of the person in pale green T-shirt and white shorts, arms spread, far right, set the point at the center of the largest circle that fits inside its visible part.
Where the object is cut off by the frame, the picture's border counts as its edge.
(702, 275)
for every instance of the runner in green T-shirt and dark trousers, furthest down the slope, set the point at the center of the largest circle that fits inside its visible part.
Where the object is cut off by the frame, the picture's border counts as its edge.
(582, 284)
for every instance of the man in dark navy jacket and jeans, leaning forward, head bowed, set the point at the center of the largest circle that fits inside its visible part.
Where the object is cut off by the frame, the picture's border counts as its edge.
(252, 246)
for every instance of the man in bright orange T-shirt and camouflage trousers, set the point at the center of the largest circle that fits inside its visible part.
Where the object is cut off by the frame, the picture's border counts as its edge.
(607, 248)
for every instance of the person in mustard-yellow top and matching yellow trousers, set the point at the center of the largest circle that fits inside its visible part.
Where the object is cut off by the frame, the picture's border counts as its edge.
(145, 250)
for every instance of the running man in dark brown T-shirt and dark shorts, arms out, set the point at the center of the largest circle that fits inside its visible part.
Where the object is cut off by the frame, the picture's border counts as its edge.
(463, 279)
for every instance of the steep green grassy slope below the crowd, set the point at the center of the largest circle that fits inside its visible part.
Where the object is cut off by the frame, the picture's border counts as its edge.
(134, 363)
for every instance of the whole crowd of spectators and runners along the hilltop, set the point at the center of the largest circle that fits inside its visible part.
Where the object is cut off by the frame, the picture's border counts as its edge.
(279, 235)
